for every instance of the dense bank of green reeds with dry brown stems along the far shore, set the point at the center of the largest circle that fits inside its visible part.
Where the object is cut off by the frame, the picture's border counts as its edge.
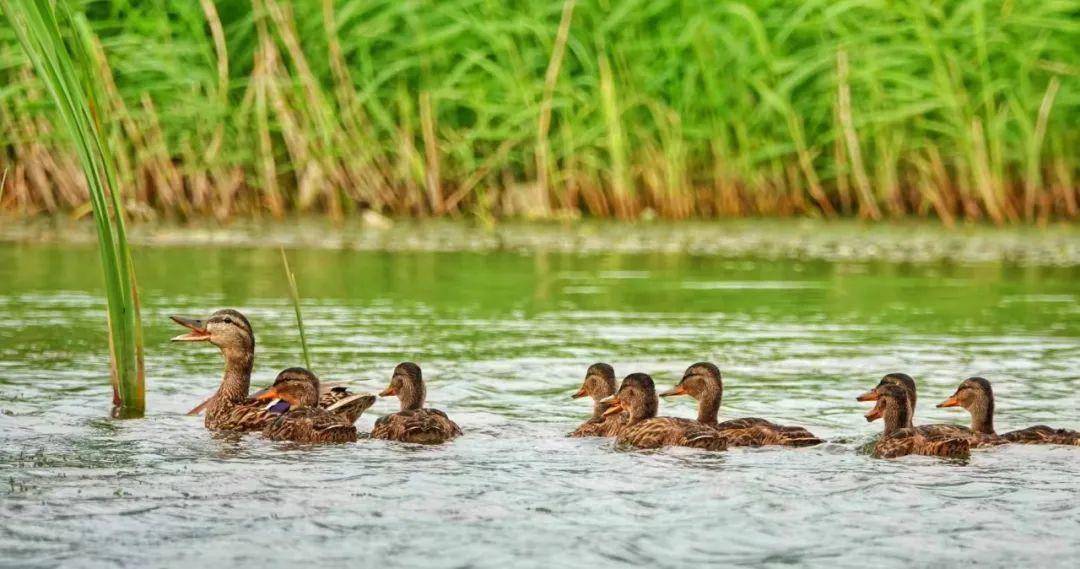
(954, 111)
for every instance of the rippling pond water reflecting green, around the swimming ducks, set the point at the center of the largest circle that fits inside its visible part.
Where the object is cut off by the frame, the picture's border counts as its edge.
(504, 341)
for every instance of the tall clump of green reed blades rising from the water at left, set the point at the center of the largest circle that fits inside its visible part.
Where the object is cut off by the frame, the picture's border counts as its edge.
(75, 99)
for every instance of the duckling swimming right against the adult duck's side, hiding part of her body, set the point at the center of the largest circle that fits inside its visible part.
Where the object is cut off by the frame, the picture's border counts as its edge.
(294, 402)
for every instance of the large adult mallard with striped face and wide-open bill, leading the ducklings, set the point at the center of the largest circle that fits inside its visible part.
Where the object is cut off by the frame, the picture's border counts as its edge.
(232, 408)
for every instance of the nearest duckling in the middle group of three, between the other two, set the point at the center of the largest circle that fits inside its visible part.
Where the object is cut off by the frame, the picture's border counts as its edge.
(638, 398)
